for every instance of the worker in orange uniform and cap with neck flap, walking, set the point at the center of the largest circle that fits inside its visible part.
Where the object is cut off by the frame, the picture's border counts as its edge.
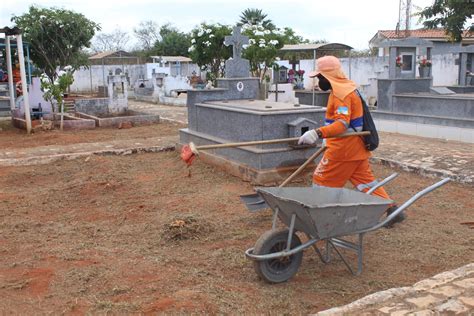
(346, 159)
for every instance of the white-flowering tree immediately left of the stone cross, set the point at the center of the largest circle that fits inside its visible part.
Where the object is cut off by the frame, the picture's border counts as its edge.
(207, 47)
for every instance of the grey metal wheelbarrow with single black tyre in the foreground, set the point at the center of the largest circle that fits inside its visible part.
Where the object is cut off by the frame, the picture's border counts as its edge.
(322, 214)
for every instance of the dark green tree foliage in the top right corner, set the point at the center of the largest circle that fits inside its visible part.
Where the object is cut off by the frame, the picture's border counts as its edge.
(452, 15)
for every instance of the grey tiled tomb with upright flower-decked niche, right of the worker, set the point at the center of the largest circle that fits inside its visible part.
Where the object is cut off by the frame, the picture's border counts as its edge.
(409, 104)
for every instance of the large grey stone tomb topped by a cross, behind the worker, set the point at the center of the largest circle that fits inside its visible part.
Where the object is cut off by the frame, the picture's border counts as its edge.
(231, 113)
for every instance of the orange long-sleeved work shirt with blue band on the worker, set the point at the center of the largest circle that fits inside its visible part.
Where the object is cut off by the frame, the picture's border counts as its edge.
(341, 116)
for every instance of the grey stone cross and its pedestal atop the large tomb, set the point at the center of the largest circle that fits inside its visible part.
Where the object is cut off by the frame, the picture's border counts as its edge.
(237, 67)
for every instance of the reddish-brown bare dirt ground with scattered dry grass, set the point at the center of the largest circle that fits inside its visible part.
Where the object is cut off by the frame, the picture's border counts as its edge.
(142, 234)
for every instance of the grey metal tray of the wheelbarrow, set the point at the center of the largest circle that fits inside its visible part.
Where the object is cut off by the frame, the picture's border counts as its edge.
(324, 212)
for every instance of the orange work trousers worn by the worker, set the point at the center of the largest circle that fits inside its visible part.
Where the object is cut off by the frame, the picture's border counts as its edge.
(335, 174)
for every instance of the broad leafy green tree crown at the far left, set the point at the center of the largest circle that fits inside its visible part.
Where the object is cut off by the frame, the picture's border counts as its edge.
(57, 37)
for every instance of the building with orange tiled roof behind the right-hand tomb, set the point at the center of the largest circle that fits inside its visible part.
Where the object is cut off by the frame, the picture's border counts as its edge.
(441, 43)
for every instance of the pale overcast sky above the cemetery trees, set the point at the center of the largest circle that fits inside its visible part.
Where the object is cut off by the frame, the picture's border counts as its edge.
(351, 22)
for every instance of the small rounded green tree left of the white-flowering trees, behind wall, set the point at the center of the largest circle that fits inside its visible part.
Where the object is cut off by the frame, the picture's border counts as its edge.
(172, 43)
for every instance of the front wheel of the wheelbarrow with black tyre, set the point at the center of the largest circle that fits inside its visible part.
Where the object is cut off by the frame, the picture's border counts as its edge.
(279, 269)
